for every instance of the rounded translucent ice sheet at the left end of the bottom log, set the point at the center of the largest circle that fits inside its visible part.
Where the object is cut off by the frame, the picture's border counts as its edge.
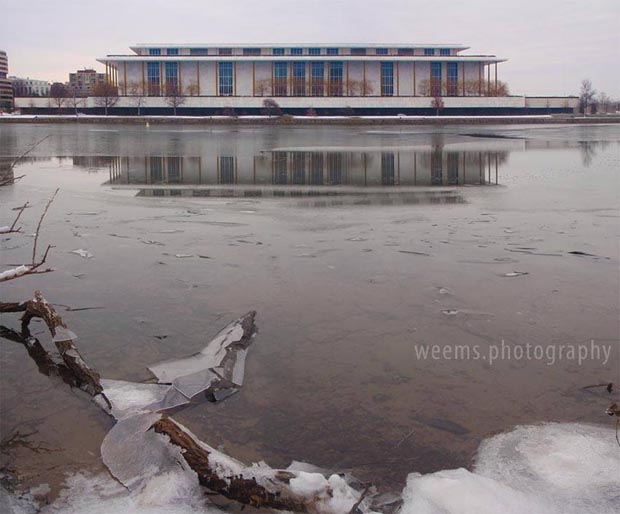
(135, 454)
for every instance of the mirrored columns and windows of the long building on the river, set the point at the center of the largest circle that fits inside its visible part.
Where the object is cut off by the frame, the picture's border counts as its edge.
(314, 168)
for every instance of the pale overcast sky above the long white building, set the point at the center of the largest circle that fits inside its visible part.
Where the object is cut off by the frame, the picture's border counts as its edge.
(551, 45)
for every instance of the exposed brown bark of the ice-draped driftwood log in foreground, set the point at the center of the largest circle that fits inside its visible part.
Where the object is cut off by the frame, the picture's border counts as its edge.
(267, 489)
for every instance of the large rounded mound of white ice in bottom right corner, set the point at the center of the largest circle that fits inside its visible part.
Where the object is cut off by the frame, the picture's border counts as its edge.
(547, 469)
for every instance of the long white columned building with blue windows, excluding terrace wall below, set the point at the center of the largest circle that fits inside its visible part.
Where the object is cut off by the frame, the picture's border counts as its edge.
(303, 71)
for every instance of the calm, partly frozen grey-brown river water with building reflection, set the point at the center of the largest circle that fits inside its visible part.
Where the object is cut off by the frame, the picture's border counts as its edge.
(354, 246)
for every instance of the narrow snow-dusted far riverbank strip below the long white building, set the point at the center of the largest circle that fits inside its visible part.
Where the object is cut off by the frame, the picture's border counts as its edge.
(313, 120)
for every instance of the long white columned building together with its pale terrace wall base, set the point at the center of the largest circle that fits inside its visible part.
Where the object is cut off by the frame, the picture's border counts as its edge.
(326, 79)
